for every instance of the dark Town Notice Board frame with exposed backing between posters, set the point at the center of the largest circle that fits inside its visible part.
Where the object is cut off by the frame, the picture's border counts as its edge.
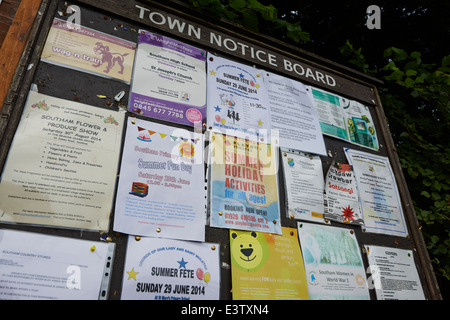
(123, 19)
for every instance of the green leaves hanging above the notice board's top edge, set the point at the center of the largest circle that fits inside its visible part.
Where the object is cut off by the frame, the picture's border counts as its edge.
(251, 14)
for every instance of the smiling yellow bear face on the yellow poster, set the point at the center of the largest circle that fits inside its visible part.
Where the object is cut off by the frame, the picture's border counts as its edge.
(249, 250)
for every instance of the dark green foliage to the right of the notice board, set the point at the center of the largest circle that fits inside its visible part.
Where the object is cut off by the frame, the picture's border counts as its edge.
(416, 101)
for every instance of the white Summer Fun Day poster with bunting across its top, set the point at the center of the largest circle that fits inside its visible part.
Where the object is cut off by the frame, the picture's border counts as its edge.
(161, 185)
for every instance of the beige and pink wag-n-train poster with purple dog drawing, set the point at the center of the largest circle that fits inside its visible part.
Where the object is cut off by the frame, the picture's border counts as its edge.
(88, 50)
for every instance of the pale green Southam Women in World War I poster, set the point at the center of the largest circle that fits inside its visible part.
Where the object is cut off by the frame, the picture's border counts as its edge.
(333, 264)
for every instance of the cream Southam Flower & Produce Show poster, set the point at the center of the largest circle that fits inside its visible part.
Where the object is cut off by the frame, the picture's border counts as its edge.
(61, 168)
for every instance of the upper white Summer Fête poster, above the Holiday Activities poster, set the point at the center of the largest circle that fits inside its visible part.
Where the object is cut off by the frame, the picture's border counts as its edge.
(237, 100)
